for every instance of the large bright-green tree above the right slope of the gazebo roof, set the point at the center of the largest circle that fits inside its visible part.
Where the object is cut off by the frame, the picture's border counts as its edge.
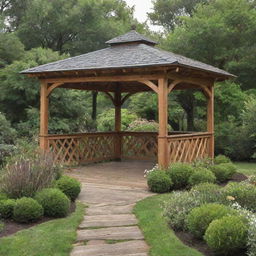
(221, 33)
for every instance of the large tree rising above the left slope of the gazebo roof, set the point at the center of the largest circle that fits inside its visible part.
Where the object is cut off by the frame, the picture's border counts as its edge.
(74, 26)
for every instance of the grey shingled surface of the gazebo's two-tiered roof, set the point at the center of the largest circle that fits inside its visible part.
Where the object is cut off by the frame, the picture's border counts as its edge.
(131, 50)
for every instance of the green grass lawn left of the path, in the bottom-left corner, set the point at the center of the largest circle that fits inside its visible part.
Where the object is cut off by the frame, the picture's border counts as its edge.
(53, 238)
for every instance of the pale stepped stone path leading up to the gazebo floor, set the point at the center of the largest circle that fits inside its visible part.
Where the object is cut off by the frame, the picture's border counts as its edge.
(109, 227)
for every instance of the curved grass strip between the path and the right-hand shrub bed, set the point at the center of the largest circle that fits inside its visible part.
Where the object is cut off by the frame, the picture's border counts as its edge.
(158, 235)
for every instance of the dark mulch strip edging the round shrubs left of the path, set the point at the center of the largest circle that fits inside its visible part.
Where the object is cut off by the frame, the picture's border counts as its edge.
(11, 227)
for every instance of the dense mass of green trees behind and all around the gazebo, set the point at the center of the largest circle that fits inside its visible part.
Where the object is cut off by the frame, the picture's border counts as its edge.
(218, 32)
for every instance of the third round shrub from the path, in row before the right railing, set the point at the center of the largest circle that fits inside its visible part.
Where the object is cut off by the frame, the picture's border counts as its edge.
(201, 175)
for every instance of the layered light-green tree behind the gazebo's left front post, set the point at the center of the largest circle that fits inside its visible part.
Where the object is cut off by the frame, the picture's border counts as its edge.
(19, 98)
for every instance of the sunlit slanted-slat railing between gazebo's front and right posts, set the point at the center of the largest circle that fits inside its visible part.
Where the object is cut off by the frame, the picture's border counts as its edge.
(188, 147)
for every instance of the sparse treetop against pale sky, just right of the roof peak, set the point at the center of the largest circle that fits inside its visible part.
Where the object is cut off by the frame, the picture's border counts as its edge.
(167, 13)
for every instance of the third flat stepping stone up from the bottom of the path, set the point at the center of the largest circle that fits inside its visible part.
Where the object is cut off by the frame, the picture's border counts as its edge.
(109, 221)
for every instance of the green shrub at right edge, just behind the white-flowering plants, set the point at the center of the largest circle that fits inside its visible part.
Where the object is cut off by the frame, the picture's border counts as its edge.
(244, 194)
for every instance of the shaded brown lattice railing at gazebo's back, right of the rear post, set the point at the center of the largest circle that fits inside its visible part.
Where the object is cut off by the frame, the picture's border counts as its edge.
(139, 145)
